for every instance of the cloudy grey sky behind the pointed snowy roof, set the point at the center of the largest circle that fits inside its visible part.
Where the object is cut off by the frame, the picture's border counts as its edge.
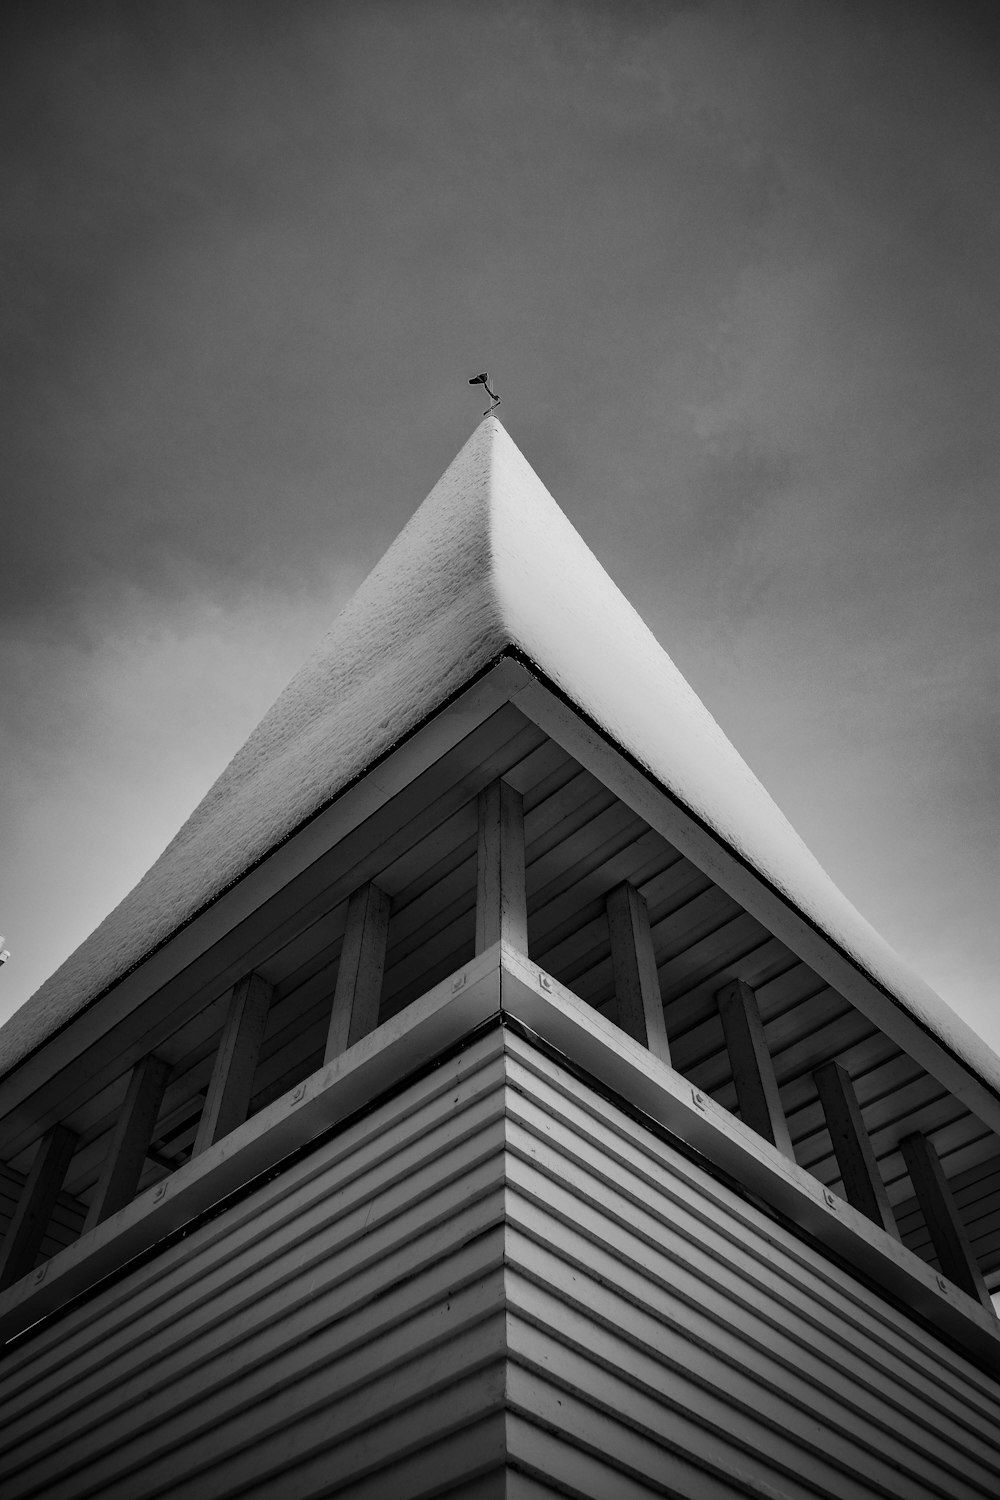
(737, 272)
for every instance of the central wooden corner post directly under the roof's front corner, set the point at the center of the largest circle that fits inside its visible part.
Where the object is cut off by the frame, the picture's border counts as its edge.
(501, 910)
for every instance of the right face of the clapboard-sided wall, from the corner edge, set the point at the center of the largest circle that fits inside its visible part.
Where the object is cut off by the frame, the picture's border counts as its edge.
(665, 1333)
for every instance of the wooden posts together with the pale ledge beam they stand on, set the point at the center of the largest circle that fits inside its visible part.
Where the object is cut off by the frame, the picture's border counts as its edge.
(230, 1148)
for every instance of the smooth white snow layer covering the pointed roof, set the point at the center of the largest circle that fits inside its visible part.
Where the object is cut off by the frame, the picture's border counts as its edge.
(488, 562)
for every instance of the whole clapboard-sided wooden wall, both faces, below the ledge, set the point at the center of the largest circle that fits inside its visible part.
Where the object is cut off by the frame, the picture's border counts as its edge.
(497, 1265)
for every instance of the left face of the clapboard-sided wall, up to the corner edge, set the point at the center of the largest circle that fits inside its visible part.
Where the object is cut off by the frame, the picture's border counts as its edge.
(341, 1328)
